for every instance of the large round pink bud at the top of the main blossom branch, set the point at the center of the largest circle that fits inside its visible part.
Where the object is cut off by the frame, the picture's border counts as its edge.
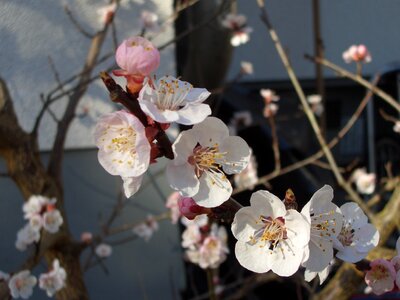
(137, 56)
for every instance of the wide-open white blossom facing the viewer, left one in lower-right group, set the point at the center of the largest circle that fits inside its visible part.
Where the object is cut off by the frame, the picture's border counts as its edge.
(269, 236)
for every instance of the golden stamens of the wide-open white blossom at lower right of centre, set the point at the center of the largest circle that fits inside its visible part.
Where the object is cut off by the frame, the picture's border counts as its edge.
(272, 232)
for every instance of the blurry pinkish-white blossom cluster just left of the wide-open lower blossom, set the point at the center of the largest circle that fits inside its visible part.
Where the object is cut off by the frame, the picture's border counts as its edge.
(205, 244)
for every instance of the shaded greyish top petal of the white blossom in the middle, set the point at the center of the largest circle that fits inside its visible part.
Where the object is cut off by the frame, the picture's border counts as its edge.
(212, 130)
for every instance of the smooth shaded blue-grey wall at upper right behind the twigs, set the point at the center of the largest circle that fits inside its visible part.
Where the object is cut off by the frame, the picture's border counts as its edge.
(372, 22)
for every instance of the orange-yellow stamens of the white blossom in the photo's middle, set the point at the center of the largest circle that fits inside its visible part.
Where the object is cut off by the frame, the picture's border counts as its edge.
(207, 159)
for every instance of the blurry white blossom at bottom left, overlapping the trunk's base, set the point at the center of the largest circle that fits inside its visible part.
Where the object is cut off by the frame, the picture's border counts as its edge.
(54, 280)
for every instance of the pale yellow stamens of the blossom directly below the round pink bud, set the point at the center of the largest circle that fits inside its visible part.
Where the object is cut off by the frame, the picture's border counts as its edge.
(171, 95)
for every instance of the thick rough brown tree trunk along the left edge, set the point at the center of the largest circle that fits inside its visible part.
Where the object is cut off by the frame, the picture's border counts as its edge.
(20, 152)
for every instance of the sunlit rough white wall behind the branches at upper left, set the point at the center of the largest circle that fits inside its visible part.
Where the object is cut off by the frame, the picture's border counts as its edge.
(32, 30)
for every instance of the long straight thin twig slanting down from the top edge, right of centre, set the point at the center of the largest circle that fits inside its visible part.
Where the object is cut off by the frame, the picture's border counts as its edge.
(308, 111)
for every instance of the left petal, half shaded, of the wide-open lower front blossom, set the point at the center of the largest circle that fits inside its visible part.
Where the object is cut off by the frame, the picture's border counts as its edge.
(245, 224)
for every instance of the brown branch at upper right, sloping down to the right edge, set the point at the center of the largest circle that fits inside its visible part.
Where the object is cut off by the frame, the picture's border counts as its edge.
(377, 91)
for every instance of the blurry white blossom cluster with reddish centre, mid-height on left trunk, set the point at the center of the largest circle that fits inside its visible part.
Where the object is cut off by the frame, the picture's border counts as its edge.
(41, 213)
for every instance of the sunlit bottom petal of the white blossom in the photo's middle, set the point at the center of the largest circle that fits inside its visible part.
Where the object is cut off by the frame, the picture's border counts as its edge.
(214, 190)
